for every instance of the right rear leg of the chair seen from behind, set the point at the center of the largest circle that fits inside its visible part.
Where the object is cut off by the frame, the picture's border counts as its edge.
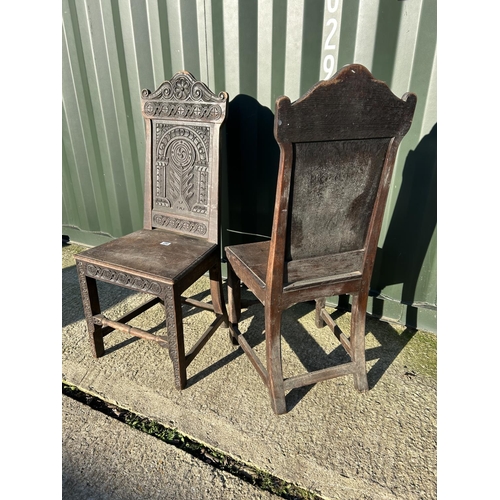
(357, 340)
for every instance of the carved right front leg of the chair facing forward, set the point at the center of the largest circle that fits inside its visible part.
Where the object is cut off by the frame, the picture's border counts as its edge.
(175, 333)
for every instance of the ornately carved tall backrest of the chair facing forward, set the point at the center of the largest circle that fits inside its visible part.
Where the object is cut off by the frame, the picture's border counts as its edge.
(183, 119)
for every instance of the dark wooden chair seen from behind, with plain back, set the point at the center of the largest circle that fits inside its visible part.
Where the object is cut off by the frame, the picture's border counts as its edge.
(338, 145)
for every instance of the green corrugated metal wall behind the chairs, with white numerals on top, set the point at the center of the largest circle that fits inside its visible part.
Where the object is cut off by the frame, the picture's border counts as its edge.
(256, 50)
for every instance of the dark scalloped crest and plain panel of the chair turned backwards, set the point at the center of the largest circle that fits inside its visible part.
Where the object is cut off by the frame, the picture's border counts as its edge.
(343, 133)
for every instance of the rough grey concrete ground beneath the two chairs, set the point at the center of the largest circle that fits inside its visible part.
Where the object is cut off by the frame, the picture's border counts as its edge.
(334, 441)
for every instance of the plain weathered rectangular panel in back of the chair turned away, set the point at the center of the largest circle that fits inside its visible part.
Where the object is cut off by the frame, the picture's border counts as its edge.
(333, 190)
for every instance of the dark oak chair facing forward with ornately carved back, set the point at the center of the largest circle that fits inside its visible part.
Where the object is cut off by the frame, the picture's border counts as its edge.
(179, 240)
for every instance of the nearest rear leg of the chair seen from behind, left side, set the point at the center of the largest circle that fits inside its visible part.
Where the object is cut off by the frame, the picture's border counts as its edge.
(274, 361)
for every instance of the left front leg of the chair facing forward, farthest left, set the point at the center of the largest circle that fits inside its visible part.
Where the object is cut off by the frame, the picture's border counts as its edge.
(91, 307)
